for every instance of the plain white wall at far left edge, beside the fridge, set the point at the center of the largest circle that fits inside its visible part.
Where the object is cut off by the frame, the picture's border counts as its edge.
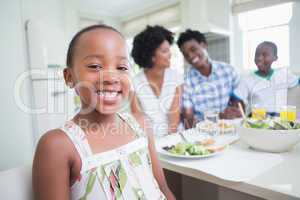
(16, 129)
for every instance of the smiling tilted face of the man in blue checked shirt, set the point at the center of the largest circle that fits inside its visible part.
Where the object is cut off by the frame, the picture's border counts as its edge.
(194, 53)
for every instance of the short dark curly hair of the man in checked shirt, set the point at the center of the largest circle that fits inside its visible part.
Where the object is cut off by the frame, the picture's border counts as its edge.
(189, 35)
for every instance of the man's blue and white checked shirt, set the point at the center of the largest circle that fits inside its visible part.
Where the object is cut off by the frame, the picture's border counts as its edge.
(209, 93)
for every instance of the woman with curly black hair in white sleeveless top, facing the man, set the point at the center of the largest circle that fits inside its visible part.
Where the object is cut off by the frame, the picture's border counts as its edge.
(157, 87)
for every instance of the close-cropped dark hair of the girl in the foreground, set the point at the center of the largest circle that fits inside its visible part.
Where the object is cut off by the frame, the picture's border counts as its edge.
(76, 37)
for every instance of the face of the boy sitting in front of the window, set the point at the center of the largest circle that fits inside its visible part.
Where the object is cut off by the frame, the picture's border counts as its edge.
(264, 57)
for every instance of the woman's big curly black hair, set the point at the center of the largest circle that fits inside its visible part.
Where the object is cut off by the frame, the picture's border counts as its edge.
(146, 42)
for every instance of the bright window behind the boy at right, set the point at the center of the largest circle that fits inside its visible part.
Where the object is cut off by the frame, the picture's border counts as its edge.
(266, 24)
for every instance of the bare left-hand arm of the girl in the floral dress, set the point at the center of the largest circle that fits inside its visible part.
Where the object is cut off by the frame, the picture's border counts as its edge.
(51, 167)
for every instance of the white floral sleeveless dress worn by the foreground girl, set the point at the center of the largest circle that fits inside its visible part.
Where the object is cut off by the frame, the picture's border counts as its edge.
(124, 173)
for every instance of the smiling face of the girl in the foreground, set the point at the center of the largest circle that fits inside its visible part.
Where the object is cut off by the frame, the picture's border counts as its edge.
(100, 70)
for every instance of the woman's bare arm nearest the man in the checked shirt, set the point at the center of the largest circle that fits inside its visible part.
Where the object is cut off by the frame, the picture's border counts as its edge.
(174, 112)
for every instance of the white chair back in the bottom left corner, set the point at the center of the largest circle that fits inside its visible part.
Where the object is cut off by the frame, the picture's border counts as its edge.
(15, 184)
